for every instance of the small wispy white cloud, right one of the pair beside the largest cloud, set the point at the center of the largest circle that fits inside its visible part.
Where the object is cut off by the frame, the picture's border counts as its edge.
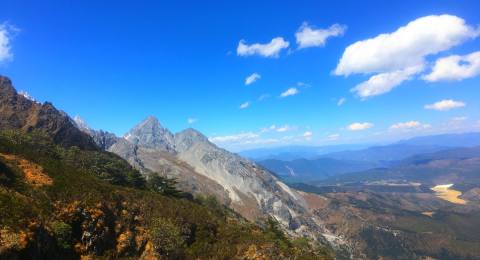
(309, 37)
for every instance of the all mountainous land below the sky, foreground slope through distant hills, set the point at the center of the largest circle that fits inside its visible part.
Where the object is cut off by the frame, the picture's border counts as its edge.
(70, 191)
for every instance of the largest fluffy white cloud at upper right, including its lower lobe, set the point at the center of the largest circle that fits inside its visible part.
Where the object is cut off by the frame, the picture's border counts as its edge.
(398, 56)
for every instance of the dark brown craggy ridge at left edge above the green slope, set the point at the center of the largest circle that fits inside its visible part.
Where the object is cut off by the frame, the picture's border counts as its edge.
(20, 112)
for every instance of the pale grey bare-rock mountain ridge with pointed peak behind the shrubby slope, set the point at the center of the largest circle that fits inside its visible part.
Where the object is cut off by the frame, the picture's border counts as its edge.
(202, 167)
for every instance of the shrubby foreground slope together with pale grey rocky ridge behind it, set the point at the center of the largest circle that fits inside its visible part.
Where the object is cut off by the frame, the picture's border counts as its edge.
(62, 196)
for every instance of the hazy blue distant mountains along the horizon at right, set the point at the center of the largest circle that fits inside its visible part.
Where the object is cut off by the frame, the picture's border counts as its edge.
(304, 164)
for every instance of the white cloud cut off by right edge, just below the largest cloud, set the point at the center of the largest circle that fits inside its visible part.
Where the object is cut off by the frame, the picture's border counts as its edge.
(455, 67)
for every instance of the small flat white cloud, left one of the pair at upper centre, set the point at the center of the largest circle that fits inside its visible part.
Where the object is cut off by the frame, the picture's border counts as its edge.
(271, 49)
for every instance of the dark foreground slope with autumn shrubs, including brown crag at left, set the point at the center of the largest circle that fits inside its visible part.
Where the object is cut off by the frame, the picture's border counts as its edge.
(62, 197)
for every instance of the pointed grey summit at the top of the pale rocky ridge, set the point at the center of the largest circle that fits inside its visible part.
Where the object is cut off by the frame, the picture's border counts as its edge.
(151, 134)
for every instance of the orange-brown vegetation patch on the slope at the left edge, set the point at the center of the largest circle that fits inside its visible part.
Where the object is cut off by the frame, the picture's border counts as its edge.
(33, 173)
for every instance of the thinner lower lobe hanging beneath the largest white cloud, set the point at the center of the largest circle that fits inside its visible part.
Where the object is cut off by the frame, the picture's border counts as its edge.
(384, 82)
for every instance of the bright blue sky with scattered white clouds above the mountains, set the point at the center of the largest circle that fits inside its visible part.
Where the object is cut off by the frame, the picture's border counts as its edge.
(116, 63)
